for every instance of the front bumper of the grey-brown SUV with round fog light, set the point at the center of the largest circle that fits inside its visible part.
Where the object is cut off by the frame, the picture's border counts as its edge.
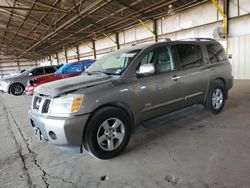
(64, 132)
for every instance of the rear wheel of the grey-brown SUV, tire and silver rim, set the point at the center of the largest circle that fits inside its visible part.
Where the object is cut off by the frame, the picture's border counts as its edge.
(216, 97)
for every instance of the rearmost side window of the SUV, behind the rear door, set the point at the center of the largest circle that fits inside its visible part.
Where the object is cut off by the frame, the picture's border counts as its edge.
(216, 53)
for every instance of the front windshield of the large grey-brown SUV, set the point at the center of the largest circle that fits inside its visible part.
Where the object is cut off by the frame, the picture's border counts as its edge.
(114, 63)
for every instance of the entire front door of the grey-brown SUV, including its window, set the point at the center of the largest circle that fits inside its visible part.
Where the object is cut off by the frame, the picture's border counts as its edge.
(162, 92)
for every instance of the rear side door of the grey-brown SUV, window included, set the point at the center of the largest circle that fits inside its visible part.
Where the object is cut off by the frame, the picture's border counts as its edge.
(194, 73)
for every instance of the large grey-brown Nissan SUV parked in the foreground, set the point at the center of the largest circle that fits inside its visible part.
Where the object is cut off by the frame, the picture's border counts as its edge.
(99, 109)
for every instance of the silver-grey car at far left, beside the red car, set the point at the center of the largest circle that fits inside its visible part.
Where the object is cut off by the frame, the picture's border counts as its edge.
(16, 84)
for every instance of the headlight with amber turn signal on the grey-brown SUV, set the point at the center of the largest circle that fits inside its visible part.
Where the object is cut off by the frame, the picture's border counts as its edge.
(67, 104)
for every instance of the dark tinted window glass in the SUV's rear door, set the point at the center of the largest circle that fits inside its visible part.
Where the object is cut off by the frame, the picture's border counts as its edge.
(190, 55)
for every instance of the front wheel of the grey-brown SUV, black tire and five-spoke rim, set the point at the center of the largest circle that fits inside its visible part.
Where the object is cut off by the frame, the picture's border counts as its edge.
(107, 133)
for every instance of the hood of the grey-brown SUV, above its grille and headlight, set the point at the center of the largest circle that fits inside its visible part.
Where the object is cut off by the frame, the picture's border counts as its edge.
(59, 87)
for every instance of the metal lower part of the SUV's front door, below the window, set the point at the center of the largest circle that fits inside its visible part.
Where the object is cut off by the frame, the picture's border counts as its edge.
(159, 94)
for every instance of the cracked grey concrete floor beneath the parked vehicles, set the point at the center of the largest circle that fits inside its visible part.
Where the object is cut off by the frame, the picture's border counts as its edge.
(196, 149)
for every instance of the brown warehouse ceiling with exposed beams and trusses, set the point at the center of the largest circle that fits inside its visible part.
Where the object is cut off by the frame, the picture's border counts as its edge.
(35, 28)
